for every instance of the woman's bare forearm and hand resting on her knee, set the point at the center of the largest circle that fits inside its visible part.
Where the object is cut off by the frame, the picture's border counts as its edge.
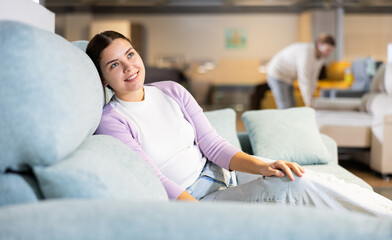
(243, 162)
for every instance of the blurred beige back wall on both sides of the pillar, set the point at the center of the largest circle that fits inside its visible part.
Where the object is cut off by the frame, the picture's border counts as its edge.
(202, 36)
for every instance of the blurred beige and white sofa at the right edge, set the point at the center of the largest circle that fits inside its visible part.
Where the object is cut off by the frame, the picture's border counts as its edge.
(363, 123)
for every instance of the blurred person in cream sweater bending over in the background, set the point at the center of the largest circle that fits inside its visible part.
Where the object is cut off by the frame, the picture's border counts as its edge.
(298, 61)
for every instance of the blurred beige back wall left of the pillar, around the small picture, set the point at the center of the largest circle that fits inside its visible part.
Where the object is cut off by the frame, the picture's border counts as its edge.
(202, 36)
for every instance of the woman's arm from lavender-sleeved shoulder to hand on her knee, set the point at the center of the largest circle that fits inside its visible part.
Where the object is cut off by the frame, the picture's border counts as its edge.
(220, 151)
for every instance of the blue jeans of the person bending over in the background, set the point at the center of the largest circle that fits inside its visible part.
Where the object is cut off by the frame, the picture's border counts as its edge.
(283, 93)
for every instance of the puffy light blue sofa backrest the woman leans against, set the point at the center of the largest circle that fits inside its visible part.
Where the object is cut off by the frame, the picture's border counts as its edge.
(51, 104)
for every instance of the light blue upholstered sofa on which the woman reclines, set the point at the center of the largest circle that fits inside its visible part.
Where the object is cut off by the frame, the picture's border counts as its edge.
(58, 181)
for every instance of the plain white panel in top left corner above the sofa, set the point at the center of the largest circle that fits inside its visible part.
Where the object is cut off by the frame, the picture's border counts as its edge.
(29, 12)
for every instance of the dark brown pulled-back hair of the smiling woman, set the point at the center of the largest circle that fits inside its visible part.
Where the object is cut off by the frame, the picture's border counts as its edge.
(98, 43)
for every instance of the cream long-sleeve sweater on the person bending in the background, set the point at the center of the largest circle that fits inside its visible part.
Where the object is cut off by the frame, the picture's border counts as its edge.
(297, 62)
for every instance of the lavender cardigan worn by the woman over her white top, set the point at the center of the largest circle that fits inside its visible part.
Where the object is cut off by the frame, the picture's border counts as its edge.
(214, 147)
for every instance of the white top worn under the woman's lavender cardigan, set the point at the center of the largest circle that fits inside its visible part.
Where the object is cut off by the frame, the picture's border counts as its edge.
(164, 134)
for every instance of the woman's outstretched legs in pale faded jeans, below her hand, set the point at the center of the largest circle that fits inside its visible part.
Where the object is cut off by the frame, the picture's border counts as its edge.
(316, 189)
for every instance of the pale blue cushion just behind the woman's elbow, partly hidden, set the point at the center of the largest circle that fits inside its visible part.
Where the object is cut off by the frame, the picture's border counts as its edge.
(224, 122)
